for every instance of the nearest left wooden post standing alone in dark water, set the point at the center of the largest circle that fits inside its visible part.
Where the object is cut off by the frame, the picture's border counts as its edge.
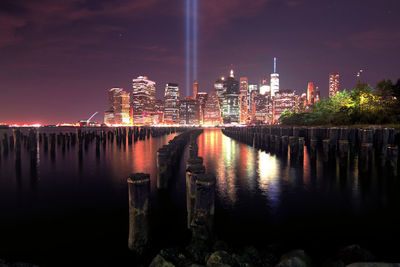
(139, 198)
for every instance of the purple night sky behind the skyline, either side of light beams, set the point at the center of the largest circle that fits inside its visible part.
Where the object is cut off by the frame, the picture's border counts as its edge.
(58, 58)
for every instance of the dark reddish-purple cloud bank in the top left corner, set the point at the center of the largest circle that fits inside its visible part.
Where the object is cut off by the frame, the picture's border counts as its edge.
(39, 15)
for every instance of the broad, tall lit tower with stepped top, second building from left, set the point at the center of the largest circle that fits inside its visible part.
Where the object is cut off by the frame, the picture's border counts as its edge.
(142, 101)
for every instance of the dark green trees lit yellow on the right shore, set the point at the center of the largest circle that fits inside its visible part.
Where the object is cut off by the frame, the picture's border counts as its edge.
(362, 105)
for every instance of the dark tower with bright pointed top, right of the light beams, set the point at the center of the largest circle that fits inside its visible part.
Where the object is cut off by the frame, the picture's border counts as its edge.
(231, 107)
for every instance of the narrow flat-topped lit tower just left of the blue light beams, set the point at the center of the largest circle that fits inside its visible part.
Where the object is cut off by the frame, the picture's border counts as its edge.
(171, 108)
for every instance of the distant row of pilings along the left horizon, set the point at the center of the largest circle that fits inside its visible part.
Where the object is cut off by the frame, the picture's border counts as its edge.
(33, 139)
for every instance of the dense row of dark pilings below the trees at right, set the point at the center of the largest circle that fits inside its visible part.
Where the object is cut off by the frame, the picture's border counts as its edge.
(368, 144)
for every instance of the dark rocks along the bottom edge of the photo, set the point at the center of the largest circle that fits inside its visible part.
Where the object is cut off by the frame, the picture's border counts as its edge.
(220, 254)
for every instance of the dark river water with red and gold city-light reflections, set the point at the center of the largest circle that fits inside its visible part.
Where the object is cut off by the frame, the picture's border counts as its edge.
(73, 210)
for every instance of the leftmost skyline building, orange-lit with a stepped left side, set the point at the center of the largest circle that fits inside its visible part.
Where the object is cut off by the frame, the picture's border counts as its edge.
(118, 112)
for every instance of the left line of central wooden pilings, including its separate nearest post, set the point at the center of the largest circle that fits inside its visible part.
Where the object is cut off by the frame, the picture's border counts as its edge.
(168, 158)
